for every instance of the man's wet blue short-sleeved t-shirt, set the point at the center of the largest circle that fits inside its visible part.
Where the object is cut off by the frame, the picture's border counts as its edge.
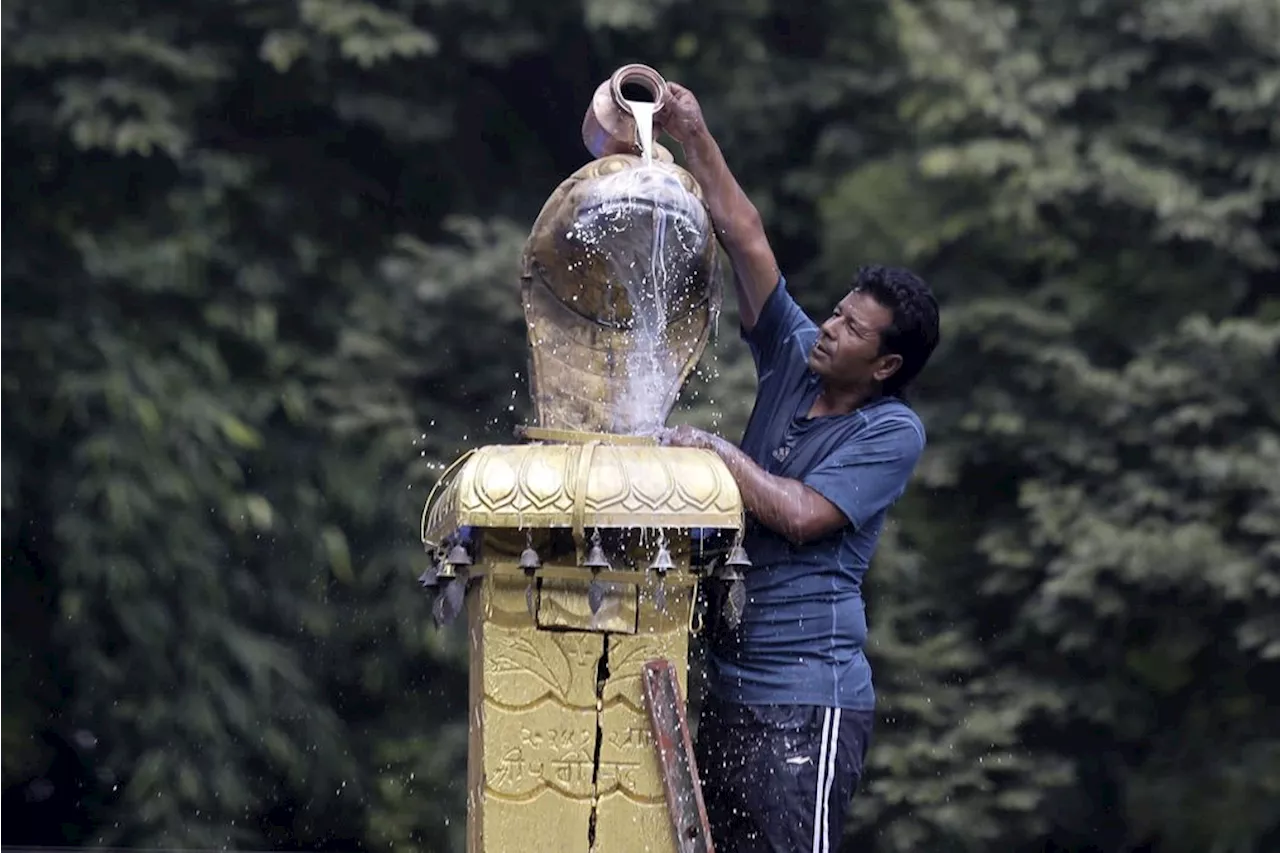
(802, 637)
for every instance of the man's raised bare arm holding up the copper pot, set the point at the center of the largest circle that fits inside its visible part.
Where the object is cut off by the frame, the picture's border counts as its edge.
(738, 222)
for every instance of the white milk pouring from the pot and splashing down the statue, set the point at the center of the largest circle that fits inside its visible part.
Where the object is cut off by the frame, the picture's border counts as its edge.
(650, 234)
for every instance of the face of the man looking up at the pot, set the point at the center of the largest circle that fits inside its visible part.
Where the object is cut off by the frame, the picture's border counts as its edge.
(848, 349)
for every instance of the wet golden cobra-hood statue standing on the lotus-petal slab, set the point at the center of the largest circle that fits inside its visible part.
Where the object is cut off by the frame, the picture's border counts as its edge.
(580, 317)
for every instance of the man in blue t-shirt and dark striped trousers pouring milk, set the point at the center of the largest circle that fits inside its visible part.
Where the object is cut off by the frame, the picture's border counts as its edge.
(830, 448)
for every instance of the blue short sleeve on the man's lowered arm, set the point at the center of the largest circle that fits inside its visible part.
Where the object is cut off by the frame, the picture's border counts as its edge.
(871, 472)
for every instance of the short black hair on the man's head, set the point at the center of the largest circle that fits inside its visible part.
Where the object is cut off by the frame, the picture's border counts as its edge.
(915, 331)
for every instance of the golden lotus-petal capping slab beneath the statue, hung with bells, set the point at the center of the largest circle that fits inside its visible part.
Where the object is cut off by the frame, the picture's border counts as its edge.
(584, 486)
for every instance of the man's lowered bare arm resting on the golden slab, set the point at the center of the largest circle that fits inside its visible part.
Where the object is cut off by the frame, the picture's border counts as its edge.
(789, 508)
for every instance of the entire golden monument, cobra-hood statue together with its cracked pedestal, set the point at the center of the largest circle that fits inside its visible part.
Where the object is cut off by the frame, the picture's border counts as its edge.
(575, 555)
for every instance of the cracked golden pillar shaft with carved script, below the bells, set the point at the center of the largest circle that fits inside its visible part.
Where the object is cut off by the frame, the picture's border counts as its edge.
(541, 714)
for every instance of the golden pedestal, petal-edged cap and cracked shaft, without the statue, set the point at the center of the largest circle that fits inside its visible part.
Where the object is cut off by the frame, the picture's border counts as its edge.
(563, 758)
